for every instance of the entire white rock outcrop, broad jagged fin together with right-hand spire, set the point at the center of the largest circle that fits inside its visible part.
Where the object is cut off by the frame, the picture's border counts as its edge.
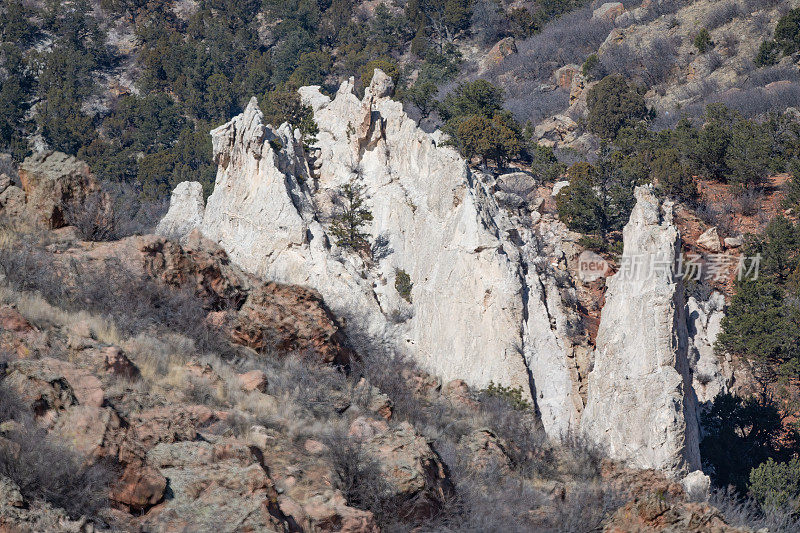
(485, 304)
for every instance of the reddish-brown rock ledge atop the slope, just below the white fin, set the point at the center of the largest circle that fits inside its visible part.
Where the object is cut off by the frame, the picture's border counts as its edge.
(253, 313)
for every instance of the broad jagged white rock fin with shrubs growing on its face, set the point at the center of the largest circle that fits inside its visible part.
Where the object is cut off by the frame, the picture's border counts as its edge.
(483, 305)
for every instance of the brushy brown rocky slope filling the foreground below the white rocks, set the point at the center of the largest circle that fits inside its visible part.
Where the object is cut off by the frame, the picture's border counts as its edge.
(201, 398)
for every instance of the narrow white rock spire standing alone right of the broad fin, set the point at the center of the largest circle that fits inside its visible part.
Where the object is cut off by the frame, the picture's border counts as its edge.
(641, 406)
